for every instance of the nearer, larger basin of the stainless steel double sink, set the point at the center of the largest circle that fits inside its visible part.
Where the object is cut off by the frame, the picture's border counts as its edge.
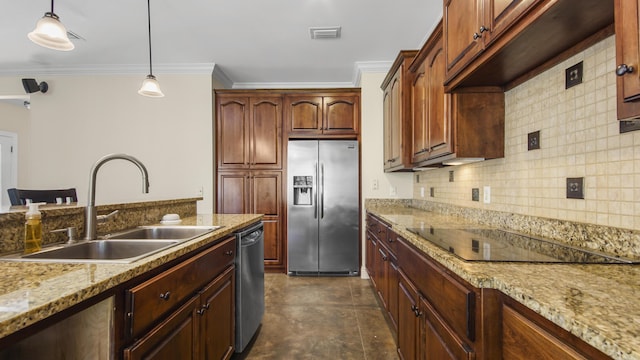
(103, 250)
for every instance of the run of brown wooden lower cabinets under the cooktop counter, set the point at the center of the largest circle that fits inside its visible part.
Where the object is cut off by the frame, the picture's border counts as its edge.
(441, 316)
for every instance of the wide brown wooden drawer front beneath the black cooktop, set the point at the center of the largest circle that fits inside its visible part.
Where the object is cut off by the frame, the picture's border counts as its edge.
(455, 302)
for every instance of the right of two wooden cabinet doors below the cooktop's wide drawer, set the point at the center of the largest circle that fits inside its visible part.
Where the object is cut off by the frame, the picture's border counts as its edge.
(437, 340)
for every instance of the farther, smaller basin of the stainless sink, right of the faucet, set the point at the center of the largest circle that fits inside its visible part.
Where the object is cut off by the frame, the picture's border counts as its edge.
(162, 232)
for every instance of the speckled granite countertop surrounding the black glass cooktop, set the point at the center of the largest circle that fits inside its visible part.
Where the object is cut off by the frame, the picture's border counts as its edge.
(597, 303)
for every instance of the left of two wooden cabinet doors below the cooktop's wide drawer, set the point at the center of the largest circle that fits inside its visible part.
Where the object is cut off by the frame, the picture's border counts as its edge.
(407, 318)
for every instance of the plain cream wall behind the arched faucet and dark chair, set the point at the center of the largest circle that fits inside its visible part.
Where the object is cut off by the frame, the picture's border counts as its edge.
(82, 118)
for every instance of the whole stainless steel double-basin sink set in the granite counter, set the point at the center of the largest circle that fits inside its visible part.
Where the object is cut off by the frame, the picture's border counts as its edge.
(122, 247)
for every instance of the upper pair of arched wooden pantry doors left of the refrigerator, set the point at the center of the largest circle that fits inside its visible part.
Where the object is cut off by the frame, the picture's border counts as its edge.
(249, 131)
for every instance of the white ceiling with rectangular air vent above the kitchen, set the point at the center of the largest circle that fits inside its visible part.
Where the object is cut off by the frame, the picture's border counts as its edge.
(253, 43)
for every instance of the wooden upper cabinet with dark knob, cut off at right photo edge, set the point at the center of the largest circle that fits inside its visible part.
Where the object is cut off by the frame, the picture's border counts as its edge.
(627, 25)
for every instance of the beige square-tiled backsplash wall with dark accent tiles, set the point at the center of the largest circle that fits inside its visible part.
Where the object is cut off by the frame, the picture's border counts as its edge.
(580, 137)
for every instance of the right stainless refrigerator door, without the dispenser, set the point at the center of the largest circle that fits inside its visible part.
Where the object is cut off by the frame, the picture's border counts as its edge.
(338, 206)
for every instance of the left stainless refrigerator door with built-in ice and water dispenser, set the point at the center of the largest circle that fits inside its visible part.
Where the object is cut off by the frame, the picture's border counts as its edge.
(302, 223)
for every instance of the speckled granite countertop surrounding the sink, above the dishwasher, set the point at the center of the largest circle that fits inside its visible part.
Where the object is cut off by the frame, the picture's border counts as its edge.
(33, 291)
